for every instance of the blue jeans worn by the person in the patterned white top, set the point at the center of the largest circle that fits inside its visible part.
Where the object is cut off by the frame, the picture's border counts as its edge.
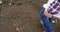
(46, 21)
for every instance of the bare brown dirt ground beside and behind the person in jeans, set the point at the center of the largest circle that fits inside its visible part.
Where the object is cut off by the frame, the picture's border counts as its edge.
(22, 16)
